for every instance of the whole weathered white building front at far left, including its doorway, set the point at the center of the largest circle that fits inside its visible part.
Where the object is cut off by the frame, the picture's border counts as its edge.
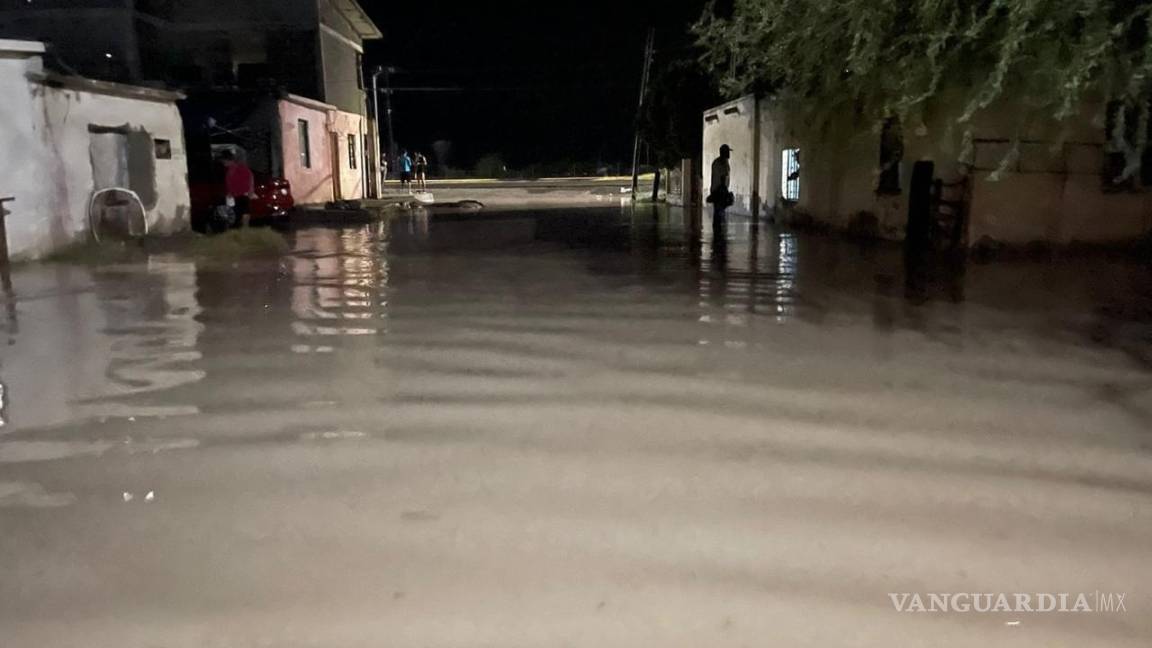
(67, 138)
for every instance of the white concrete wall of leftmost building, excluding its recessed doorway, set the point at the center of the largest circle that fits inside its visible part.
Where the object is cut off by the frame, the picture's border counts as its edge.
(47, 163)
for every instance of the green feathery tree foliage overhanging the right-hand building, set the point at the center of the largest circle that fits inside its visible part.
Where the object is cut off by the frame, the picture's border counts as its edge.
(895, 57)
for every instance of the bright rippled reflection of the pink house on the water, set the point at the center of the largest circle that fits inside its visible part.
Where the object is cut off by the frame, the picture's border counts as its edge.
(339, 278)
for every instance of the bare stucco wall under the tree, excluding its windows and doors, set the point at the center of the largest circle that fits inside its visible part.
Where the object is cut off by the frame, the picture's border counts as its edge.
(1054, 192)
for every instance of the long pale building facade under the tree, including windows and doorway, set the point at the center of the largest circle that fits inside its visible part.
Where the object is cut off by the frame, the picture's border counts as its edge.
(1042, 183)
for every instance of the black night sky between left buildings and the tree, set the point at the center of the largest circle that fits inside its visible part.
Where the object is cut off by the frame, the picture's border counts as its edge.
(545, 81)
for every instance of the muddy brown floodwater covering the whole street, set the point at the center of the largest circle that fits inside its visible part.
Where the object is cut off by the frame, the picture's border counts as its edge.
(585, 428)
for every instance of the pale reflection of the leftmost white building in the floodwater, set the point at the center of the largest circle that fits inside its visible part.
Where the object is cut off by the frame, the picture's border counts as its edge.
(103, 337)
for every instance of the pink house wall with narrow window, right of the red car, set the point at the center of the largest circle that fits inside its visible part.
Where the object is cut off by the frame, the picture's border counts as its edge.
(313, 184)
